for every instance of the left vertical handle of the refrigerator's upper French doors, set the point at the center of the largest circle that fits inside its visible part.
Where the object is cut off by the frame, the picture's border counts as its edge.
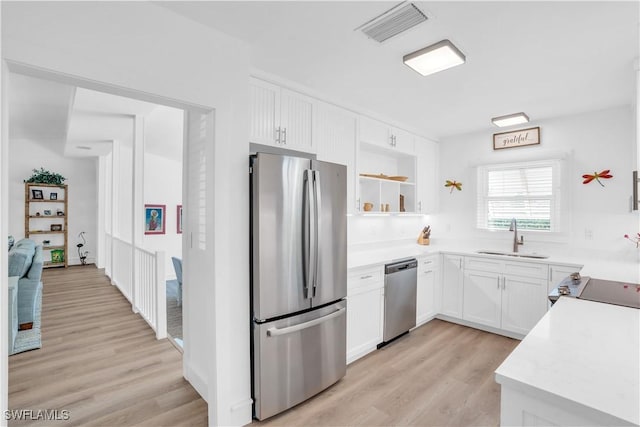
(309, 242)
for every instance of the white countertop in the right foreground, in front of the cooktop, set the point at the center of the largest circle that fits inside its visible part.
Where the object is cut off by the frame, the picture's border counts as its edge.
(585, 352)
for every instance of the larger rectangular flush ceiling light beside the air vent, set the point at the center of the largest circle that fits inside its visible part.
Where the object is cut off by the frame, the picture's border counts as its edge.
(434, 58)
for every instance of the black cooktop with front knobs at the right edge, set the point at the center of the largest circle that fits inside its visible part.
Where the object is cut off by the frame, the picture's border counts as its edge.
(606, 291)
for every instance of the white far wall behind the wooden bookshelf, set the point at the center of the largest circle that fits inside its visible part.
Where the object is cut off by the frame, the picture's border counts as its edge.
(27, 155)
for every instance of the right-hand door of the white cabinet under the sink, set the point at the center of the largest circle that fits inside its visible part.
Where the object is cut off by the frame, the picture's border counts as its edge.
(524, 302)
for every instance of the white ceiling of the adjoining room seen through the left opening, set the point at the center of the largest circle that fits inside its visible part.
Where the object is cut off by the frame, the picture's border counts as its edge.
(79, 122)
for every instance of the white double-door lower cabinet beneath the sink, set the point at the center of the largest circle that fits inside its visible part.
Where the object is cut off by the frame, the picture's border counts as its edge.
(507, 295)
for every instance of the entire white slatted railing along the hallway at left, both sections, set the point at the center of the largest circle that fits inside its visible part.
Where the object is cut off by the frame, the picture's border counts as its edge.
(140, 277)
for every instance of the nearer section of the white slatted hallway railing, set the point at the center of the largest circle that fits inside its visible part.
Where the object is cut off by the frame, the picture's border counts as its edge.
(150, 290)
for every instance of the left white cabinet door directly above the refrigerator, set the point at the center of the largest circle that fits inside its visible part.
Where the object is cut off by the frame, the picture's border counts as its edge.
(264, 112)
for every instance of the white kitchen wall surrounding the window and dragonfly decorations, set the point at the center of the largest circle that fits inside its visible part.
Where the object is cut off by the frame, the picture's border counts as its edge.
(597, 217)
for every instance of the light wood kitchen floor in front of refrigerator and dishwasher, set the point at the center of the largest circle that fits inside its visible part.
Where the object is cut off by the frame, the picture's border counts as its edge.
(441, 374)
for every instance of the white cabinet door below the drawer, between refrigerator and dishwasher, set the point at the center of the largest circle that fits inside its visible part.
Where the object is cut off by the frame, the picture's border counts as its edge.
(364, 322)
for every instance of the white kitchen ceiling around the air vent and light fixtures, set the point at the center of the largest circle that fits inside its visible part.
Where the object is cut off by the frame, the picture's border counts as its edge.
(544, 58)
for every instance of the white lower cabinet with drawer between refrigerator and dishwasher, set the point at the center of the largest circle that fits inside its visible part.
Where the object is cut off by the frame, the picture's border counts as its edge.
(365, 311)
